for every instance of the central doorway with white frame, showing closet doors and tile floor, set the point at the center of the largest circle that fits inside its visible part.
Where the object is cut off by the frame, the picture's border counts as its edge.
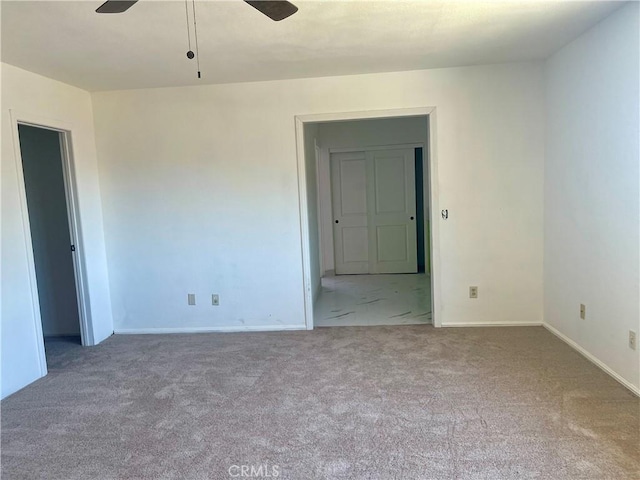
(415, 295)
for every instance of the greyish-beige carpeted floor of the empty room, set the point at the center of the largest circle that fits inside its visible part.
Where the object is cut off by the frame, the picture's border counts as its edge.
(402, 402)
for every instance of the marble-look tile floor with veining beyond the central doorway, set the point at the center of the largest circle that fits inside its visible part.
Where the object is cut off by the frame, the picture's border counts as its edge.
(358, 300)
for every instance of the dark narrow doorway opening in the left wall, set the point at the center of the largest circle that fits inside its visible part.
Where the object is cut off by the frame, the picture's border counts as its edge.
(45, 161)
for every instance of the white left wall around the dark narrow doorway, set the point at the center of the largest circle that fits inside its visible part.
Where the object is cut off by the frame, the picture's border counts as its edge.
(38, 97)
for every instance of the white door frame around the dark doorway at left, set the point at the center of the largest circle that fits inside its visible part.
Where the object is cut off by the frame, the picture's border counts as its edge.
(73, 215)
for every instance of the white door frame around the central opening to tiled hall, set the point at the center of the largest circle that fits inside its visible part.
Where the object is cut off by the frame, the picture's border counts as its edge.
(430, 179)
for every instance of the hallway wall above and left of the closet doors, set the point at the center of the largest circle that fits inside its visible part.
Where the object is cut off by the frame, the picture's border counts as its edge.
(357, 134)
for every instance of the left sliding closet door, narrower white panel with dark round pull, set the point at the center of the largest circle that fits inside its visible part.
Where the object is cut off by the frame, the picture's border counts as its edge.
(350, 227)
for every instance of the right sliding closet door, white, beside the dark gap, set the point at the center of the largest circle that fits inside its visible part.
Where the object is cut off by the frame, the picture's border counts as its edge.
(391, 203)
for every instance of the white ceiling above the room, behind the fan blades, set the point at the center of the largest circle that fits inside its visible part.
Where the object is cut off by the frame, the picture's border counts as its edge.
(146, 46)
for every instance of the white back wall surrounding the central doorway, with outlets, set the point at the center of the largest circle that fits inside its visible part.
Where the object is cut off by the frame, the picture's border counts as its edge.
(200, 193)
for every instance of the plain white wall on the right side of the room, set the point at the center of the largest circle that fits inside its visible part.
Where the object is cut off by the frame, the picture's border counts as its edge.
(591, 215)
